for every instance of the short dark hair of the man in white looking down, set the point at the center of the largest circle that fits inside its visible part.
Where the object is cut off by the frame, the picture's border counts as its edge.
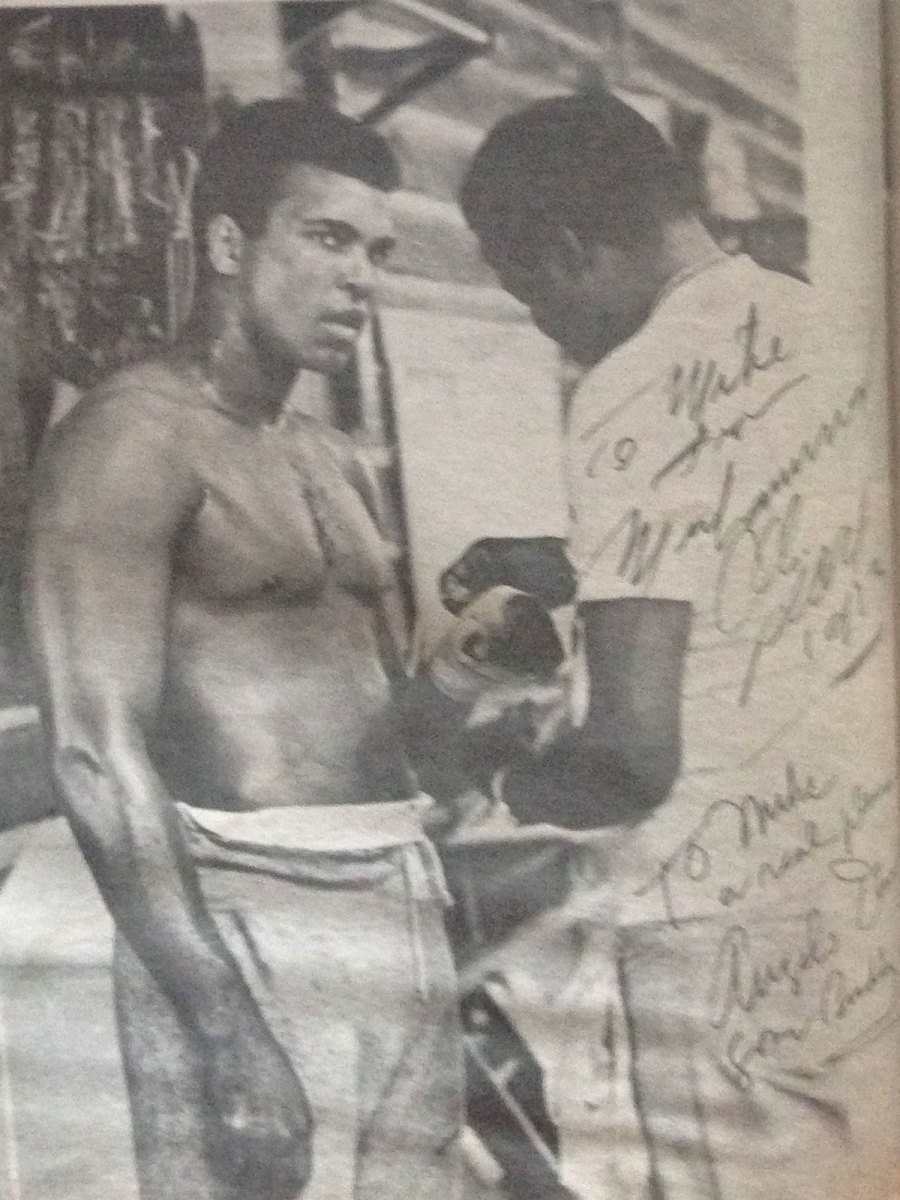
(590, 163)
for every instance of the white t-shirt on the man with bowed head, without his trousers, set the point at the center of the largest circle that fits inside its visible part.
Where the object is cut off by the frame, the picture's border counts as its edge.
(719, 459)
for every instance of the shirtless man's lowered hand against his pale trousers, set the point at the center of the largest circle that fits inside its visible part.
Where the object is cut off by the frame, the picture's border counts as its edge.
(259, 1120)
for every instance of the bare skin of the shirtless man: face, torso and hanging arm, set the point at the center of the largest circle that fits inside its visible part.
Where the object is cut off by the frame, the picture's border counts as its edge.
(178, 574)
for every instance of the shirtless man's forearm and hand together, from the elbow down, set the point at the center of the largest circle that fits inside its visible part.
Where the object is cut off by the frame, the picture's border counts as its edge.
(257, 1118)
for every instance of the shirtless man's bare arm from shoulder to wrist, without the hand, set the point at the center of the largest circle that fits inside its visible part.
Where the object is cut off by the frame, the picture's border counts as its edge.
(109, 501)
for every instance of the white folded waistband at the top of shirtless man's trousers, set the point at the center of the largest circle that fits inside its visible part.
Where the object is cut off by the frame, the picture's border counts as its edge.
(326, 829)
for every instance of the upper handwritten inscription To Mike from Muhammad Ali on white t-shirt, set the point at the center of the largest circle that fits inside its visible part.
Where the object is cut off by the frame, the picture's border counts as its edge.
(778, 567)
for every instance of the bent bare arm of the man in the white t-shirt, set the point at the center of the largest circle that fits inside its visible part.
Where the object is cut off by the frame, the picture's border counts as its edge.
(623, 761)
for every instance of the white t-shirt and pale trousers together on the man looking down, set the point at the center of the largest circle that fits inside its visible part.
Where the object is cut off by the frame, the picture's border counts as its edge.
(721, 458)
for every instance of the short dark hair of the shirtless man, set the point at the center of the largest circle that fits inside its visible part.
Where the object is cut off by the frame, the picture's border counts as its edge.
(243, 165)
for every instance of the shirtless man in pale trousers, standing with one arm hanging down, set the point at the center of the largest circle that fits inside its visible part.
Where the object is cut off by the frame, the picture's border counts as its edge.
(206, 601)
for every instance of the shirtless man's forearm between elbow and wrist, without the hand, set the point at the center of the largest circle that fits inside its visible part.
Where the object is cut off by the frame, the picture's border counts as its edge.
(130, 835)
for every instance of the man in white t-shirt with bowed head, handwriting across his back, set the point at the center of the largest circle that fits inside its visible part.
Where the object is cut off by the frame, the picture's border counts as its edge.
(731, 961)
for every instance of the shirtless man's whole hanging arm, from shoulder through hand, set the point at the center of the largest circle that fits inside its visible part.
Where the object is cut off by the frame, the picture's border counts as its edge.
(111, 496)
